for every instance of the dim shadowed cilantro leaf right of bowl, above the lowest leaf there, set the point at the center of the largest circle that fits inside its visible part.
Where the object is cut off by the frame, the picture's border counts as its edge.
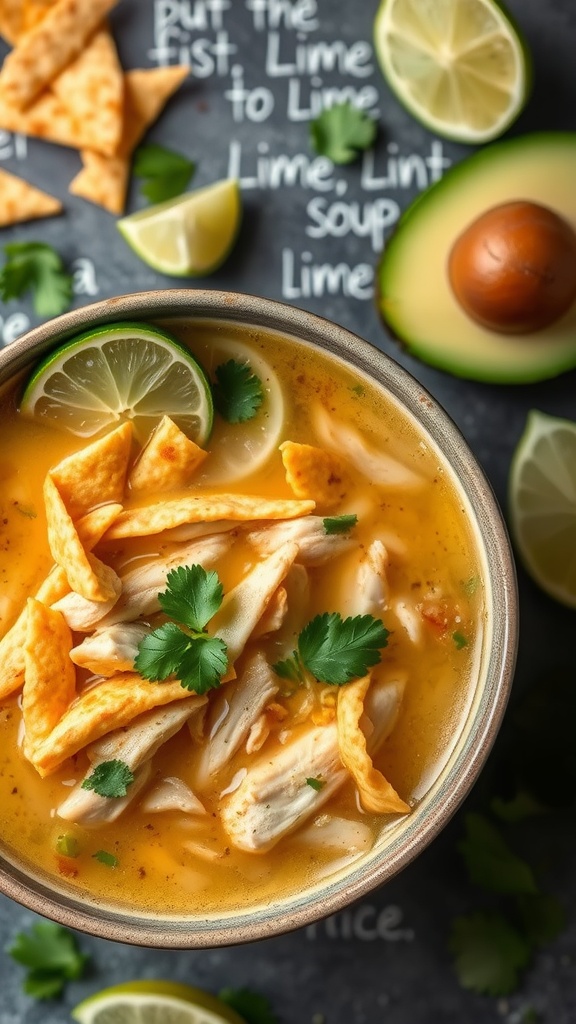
(490, 862)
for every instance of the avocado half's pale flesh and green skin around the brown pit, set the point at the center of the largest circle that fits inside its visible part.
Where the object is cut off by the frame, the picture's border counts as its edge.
(415, 294)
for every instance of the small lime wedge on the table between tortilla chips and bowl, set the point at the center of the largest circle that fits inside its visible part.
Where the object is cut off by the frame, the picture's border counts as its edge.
(190, 236)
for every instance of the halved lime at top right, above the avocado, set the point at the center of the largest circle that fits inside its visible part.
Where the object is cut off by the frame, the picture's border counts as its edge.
(462, 69)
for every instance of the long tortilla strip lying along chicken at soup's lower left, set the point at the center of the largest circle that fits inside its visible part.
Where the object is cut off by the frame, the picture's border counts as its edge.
(110, 705)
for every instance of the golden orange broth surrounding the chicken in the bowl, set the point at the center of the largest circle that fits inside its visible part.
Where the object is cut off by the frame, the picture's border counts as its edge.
(434, 568)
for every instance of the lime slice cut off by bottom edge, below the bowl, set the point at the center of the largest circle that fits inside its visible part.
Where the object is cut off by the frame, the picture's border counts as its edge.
(154, 1002)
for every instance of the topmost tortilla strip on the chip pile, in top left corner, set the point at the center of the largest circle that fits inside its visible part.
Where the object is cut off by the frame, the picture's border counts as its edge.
(45, 52)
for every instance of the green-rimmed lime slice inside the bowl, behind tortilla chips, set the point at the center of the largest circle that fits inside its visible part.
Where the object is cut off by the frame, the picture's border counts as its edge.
(121, 372)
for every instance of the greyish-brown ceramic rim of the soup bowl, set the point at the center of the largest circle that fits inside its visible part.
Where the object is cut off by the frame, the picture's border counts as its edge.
(32, 891)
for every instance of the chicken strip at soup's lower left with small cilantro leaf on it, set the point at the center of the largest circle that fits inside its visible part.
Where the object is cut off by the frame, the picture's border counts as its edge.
(136, 746)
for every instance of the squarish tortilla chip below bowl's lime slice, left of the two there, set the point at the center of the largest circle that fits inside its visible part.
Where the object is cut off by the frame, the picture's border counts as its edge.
(97, 474)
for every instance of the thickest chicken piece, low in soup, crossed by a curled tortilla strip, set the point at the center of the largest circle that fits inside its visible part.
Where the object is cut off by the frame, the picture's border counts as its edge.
(275, 798)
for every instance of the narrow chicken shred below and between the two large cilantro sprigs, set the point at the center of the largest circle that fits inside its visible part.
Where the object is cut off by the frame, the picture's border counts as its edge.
(232, 714)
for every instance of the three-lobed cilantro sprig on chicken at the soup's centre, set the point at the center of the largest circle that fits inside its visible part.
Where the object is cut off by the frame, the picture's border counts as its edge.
(192, 598)
